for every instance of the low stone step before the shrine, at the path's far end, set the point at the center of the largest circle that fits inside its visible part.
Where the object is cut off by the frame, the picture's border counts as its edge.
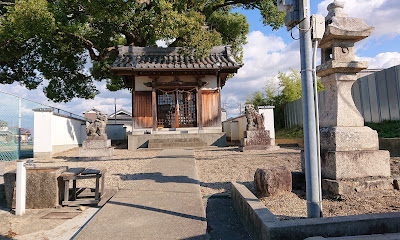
(176, 143)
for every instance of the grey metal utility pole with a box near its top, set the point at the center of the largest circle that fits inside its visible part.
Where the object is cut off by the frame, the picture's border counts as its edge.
(298, 13)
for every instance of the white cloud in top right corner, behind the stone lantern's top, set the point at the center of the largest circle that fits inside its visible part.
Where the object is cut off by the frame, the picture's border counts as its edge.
(382, 14)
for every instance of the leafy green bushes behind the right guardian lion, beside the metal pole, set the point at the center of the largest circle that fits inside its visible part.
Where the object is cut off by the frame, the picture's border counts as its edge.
(287, 90)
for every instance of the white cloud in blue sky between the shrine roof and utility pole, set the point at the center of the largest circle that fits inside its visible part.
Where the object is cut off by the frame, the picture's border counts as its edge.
(264, 57)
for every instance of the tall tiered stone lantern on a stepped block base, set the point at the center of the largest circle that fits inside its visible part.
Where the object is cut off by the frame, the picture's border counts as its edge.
(350, 155)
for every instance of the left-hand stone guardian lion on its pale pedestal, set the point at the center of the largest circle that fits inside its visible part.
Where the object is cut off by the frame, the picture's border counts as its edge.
(97, 146)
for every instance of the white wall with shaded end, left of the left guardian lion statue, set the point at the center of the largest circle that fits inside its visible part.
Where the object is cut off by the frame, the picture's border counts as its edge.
(56, 133)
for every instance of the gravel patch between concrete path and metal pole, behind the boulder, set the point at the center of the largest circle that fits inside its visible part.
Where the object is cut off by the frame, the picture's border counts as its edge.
(217, 167)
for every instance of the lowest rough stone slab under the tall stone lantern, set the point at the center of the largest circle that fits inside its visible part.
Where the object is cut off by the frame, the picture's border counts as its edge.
(356, 185)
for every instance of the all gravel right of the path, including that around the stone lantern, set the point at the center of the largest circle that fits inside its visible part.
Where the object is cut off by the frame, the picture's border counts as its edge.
(217, 167)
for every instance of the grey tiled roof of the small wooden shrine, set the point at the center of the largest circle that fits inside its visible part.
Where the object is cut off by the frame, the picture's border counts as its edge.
(147, 58)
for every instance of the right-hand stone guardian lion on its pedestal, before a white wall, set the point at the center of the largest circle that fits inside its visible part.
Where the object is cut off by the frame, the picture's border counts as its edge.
(255, 137)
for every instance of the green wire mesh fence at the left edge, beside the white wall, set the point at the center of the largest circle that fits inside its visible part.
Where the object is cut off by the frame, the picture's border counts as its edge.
(17, 126)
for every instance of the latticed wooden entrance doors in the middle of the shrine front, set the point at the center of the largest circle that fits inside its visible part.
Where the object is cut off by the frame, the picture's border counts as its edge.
(176, 108)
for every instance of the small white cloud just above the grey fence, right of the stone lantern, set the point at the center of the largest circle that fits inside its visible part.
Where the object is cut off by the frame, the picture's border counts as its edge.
(382, 60)
